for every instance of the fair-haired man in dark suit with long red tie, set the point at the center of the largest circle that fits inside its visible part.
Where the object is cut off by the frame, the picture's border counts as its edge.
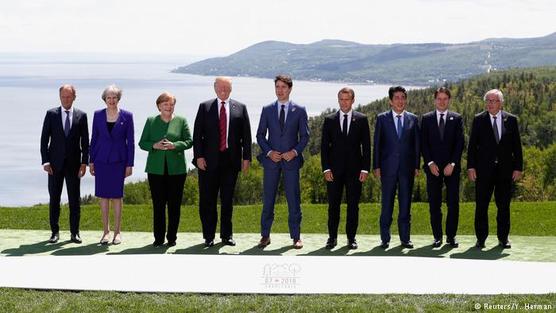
(221, 148)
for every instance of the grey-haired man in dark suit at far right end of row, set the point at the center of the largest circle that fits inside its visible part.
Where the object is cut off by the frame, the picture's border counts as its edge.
(494, 163)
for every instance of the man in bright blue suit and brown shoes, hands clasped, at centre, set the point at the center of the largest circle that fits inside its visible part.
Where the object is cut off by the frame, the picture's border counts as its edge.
(285, 122)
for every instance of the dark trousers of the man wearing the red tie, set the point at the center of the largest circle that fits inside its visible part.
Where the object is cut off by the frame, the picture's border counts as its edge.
(211, 183)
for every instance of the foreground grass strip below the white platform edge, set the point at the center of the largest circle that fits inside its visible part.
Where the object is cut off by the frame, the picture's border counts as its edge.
(17, 300)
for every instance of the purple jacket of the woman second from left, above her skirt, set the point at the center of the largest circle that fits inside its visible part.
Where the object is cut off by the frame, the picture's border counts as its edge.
(113, 146)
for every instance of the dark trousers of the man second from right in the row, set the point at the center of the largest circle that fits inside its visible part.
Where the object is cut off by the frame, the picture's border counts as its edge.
(434, 191)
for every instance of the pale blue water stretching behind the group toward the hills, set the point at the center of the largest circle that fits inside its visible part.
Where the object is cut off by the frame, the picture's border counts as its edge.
(28, 89)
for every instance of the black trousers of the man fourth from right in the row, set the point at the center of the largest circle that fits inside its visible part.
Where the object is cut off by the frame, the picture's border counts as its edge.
(353, 193)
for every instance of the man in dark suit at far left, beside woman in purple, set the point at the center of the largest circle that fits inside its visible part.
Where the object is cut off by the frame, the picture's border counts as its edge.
(65, 155)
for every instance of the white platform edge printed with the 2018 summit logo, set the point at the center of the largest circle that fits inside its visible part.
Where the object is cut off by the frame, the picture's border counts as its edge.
(277, 274)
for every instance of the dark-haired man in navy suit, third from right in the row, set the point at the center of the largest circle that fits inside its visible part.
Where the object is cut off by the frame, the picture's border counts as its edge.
(396, 162)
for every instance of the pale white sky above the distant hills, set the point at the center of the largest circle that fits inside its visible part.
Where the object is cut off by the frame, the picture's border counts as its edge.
(219, 28)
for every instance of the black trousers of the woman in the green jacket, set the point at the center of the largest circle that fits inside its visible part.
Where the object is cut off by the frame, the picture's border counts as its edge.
(166, 190)
